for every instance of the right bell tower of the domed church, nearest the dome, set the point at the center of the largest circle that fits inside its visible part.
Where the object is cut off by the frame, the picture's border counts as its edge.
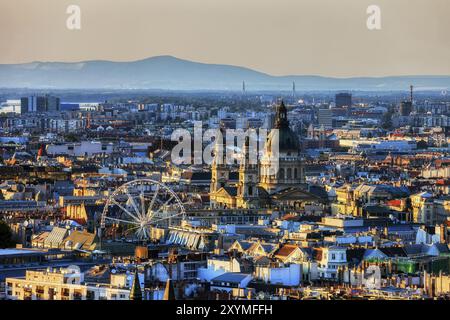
(247, 193)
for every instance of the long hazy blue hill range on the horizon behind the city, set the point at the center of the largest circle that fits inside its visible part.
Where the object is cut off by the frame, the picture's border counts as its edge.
(167, 72)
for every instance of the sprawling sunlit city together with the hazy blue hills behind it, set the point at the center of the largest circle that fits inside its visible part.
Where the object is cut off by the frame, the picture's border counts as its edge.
(217, 182)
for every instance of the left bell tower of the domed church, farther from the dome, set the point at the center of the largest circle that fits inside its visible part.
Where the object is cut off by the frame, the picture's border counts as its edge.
(219, 171)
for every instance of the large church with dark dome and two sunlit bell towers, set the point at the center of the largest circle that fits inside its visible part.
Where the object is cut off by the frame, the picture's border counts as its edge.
(260, 186)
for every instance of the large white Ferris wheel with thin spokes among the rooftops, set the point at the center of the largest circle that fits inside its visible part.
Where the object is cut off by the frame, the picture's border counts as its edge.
(137, 206)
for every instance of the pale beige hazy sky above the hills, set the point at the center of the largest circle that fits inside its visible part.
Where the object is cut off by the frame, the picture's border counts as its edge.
(280, 37)
